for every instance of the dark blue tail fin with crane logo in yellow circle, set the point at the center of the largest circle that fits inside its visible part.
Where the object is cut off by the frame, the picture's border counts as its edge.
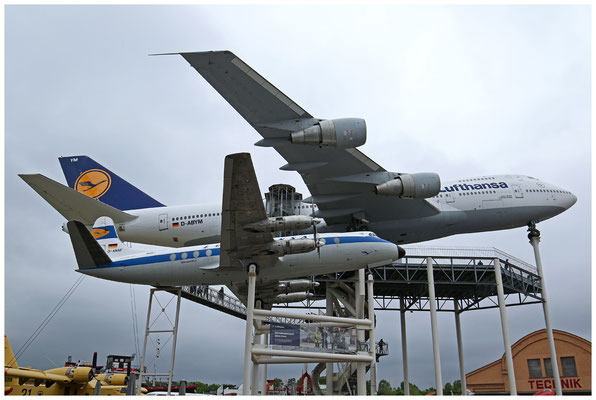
(87, 176)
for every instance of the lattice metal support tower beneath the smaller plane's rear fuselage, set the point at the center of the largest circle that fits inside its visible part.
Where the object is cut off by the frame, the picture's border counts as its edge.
(149, 331)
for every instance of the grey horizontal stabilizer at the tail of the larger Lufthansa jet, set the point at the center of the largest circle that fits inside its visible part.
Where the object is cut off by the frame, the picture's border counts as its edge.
(72, 204)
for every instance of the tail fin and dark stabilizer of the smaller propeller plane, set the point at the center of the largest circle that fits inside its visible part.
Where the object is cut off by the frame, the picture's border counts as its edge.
(98, 247)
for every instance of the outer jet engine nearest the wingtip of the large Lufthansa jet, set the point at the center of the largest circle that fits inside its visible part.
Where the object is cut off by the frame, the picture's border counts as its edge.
(345, 133)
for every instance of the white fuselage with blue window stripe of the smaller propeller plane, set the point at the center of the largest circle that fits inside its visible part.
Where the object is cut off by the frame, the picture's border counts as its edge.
(200, 264)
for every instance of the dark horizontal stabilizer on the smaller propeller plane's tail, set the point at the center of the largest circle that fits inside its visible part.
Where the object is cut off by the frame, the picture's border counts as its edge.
(87, 251)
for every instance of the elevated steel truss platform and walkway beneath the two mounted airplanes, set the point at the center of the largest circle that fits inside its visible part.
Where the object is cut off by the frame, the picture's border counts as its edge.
(465, 274)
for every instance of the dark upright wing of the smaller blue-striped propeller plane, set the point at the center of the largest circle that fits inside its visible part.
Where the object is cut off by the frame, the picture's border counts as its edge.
(241, 205)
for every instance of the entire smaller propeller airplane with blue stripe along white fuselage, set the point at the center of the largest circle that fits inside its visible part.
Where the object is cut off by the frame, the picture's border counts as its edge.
(246, 238)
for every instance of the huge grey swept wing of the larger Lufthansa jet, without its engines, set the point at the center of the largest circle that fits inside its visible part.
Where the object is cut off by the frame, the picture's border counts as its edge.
(340, 180)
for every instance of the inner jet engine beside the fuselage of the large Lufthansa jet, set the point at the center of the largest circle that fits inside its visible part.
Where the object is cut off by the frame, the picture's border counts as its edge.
(412, 186)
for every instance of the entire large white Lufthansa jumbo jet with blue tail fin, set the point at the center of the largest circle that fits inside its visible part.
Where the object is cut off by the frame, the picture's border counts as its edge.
(348, 190)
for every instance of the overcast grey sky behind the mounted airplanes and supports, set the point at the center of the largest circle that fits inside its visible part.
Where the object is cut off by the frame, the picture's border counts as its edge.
(458, 90)
